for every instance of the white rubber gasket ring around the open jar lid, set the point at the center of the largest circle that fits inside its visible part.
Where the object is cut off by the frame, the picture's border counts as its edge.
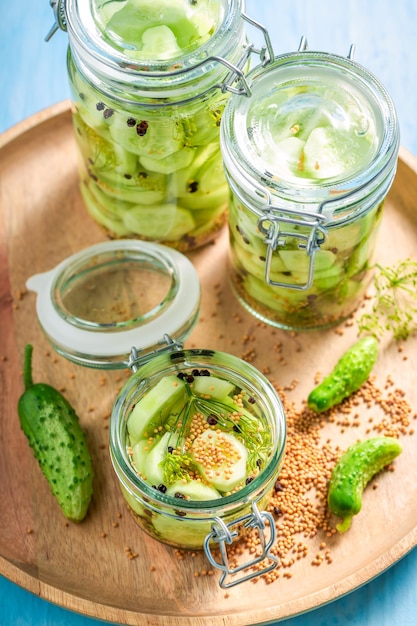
(102, 344)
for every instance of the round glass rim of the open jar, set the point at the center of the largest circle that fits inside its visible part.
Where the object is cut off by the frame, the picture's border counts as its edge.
(230, 364)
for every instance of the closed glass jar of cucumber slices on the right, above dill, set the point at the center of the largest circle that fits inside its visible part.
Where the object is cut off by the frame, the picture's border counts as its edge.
(309, 159)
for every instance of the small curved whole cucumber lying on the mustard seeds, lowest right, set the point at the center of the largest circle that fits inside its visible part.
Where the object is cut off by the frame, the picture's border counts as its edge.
(352, 473)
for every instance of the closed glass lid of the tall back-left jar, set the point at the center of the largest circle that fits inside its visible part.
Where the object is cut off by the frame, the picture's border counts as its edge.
(152, 39)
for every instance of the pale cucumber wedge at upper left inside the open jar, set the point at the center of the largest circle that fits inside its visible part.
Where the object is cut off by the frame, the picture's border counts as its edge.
(168, 395)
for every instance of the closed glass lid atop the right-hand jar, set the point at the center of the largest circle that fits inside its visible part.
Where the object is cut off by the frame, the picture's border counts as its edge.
(317, 125)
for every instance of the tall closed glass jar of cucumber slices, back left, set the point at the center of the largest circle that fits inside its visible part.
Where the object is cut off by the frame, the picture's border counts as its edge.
(149, 81)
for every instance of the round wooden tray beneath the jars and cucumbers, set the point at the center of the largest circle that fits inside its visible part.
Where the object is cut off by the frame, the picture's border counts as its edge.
(85, 567)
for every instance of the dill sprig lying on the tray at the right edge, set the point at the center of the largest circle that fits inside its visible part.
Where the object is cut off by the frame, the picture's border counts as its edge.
(394, 307)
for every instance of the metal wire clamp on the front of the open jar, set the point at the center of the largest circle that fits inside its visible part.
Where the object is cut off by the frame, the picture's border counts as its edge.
(222, 534)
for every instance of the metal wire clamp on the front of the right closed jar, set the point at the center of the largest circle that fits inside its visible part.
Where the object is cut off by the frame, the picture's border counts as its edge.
(270, 224)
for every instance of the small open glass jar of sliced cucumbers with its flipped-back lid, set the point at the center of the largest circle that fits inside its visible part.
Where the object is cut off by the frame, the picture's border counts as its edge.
(97, 310)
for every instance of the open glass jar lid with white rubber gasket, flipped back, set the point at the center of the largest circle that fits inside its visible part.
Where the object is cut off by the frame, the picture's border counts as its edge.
(101, 302)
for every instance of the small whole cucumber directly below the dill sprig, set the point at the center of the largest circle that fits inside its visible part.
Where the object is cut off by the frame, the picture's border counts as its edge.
(349, 374)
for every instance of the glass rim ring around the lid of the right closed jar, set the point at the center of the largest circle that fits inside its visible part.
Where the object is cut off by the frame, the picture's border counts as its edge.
(243, 164)
